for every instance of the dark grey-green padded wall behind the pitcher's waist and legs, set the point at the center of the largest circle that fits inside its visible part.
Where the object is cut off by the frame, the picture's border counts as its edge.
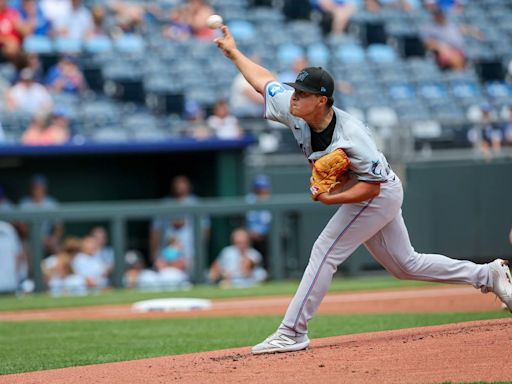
(460, 208)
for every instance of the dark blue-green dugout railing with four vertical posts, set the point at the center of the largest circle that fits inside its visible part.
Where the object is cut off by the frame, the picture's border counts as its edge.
(119, 213)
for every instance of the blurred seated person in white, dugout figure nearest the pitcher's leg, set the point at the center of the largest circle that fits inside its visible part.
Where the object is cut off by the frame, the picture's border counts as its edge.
(238, 264)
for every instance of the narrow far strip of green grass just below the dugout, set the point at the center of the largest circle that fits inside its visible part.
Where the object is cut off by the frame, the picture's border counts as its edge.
(42, 301)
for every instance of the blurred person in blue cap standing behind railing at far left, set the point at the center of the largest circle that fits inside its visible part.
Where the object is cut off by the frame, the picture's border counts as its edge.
(39, 200)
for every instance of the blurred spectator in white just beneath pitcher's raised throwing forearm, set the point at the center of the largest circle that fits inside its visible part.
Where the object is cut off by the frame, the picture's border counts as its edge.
(244, 101)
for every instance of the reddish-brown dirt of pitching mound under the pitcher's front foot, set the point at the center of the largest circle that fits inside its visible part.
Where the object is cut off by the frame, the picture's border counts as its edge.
(473, 351)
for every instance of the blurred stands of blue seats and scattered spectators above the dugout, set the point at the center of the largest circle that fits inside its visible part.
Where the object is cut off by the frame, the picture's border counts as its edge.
(407, 58)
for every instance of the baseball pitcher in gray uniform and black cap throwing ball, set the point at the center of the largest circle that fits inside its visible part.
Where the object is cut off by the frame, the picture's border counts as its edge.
(369, 201)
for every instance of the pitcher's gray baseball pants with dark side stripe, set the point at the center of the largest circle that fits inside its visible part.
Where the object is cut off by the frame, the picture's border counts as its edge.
(378, 224)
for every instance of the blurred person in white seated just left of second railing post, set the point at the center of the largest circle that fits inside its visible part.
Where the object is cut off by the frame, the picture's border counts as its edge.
(87, 266)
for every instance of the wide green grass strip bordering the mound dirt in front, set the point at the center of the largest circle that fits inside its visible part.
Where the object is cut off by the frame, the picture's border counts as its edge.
(34, 345)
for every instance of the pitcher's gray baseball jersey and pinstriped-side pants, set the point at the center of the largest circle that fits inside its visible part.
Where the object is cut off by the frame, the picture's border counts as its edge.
(377, 223)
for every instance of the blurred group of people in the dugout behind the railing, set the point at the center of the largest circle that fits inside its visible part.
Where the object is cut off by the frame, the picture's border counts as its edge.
(79, 265)
